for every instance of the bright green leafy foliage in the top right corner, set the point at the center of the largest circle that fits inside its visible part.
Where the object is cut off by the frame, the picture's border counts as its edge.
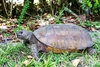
(88, 5)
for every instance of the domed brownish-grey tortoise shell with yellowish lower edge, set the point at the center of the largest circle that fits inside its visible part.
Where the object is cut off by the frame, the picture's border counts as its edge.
(63, 37)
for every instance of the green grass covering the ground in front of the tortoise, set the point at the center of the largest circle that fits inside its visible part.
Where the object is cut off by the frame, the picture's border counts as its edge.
(14, 56)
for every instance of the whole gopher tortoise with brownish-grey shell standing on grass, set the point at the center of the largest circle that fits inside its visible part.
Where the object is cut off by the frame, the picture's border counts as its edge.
(57, 38)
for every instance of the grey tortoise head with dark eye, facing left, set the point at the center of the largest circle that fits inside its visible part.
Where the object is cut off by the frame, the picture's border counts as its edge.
(24, 34)
